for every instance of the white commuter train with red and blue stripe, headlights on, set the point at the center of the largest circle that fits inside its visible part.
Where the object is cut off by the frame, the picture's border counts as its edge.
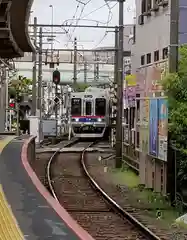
(90, 111)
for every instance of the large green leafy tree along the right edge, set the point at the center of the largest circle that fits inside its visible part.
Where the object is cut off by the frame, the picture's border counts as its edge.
(175, 86)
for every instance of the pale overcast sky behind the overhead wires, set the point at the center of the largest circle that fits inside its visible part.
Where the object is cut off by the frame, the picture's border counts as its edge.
(71, 10)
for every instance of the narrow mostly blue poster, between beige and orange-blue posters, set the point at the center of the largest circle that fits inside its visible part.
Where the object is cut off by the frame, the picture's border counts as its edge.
(153, 127)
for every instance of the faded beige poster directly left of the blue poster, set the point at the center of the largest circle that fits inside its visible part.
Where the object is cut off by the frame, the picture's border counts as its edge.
(144, 125)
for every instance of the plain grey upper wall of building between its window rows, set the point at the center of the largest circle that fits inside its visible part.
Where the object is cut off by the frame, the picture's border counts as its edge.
(152, 35)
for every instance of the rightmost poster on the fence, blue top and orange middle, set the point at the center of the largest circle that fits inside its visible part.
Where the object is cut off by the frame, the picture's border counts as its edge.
(162, 128)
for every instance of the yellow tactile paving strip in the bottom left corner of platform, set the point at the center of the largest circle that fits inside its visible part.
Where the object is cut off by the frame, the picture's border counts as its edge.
(9, 229)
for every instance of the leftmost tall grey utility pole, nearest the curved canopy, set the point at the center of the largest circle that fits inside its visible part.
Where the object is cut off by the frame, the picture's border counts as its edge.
(33, 110)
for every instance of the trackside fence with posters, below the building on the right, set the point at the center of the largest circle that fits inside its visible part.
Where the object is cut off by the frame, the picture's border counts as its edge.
(145, 140)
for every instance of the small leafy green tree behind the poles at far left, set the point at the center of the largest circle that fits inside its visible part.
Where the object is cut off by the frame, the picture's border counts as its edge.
(20, 86)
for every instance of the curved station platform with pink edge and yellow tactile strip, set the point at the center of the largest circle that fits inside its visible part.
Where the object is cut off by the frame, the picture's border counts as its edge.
(27, 210)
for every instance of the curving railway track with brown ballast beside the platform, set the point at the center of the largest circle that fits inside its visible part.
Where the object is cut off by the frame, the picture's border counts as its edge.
(71, 184)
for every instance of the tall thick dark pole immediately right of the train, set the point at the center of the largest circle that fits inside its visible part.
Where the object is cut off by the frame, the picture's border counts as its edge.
(119, 135)
